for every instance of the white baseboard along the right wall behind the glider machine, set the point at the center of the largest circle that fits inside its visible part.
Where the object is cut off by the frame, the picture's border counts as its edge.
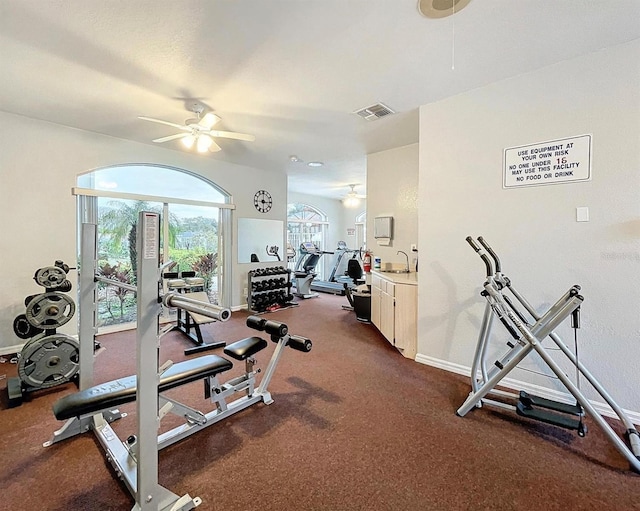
(563, 397)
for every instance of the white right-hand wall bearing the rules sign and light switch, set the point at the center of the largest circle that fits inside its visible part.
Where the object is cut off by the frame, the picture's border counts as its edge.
(534, 230)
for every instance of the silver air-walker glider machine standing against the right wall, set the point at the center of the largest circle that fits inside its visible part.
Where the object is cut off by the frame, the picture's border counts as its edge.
(527, 337)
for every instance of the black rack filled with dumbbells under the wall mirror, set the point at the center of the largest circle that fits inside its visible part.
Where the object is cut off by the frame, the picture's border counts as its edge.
(269, 289)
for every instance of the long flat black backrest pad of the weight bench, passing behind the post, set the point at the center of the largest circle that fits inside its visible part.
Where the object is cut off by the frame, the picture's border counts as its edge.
(123, 390)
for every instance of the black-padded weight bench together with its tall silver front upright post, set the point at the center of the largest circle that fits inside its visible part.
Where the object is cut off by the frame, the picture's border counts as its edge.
(135, 460)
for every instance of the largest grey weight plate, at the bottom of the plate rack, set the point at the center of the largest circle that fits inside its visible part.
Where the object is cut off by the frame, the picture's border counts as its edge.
(49, 361)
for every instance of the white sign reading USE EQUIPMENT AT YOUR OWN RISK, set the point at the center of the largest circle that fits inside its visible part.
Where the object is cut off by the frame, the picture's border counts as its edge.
(547, 163)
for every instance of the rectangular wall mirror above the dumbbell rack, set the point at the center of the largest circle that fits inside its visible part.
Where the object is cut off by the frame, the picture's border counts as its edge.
(256, 236)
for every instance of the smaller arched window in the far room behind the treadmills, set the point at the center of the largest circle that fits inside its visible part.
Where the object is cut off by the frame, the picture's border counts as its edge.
(305, 223)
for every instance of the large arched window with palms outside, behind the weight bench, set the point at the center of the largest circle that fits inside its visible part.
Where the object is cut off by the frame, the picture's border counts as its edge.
(195, 214)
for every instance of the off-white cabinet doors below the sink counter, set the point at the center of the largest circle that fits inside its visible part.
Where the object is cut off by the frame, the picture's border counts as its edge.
(394, 310)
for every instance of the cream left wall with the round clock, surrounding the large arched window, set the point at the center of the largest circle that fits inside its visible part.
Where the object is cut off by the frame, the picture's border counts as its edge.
(39, 163)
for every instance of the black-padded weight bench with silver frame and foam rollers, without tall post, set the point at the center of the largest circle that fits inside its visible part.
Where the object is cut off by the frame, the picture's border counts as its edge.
(93, 409)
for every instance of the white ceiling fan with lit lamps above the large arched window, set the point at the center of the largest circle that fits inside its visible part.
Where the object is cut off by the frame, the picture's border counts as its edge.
(197, 131)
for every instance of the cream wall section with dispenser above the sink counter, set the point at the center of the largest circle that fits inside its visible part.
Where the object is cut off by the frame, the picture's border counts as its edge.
(392, 190)
